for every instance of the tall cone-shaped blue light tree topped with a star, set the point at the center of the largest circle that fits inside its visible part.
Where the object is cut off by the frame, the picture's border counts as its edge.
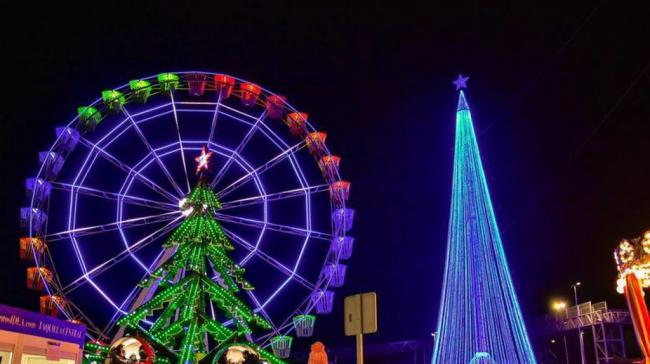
(479, 320)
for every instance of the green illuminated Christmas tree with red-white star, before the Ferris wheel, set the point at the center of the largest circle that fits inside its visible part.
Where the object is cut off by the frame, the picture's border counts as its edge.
(198, 274)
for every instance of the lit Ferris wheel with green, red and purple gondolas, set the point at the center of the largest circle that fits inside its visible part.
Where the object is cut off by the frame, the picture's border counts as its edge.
(112, 186)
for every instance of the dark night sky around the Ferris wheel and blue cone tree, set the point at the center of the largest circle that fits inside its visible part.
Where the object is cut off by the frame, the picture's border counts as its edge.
(560, 96)
